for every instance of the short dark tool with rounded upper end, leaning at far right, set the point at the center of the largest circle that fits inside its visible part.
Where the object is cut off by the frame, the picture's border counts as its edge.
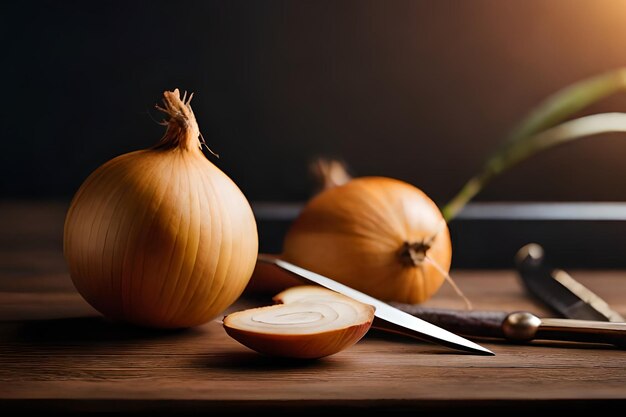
(558, 290)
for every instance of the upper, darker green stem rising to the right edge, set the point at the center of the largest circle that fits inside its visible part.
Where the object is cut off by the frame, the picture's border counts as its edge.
(551, 111)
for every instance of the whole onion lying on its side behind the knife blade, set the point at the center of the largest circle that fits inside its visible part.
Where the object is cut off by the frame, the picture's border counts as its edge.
(355, 234)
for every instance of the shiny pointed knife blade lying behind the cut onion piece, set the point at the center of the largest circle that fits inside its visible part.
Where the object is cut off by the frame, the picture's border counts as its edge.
(394, 319)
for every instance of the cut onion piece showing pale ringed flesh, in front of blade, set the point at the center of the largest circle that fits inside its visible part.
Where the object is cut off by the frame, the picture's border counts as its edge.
(312, 323)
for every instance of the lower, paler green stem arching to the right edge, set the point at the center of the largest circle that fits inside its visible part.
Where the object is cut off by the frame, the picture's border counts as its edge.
(565, 132)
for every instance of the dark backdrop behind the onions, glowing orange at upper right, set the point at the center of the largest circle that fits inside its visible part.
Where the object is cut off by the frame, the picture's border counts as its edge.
(418, 90)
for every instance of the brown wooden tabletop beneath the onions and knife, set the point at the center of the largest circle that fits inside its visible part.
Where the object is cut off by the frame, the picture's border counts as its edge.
(58, 354)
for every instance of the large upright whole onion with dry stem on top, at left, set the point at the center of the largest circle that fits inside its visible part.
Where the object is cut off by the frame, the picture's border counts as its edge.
(161, 237)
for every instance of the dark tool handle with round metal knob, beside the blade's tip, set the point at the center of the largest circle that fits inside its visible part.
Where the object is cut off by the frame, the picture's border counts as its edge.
(520, 326)
